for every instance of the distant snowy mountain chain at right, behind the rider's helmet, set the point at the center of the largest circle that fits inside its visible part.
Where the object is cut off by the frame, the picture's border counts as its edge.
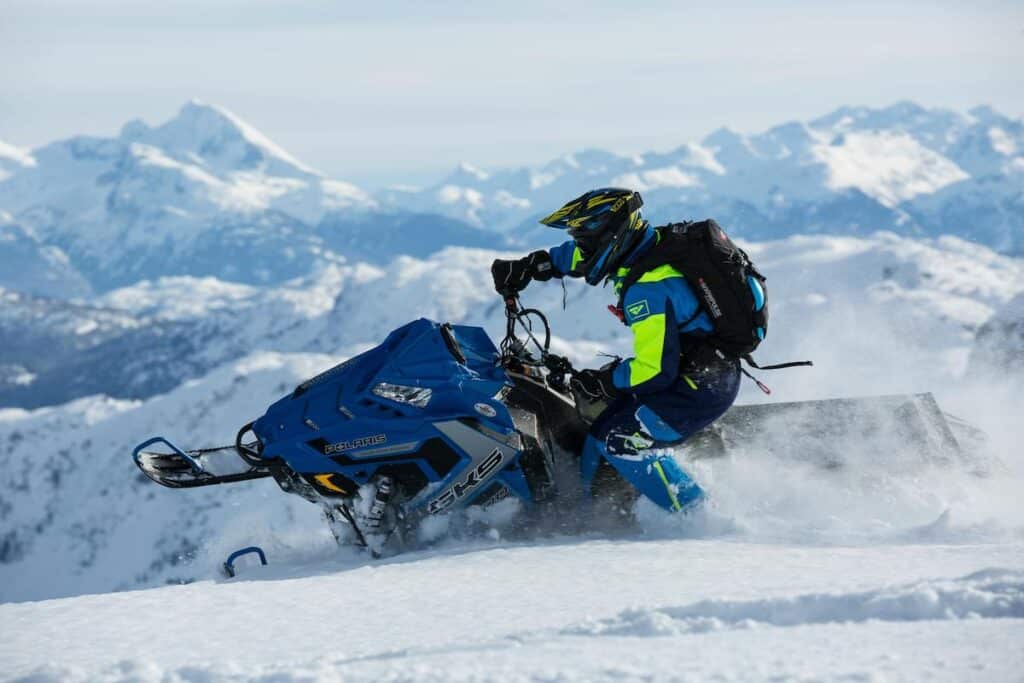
(904, 168)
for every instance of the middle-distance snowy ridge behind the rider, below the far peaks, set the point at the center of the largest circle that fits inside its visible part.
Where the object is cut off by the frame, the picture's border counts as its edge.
(146, 339)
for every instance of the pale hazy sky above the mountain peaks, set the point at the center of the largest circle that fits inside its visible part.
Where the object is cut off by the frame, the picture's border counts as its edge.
(402, 92)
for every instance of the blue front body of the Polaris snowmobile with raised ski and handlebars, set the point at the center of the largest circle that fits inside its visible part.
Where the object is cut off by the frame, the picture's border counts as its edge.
(435, 419)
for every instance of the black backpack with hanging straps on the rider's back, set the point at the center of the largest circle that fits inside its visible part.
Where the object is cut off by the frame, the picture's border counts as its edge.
(727, 283)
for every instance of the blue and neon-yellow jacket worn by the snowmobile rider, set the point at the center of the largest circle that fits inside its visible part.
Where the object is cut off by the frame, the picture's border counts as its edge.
(659, 309)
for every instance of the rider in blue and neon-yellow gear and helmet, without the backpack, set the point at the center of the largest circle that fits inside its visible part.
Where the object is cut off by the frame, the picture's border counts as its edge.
(674, 386)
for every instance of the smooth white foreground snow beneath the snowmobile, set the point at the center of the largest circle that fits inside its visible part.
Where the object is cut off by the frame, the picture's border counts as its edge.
(575, 612)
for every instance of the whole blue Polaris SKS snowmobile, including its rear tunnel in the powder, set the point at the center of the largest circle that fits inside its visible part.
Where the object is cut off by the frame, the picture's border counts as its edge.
(437, 419)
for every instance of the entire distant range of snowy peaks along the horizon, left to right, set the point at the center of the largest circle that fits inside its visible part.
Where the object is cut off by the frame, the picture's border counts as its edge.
(205, 194)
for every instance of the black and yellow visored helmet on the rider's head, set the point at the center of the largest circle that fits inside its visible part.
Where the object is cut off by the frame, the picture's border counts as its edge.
(606, 225)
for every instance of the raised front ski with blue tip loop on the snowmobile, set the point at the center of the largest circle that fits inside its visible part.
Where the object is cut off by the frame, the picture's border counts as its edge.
(203, 467)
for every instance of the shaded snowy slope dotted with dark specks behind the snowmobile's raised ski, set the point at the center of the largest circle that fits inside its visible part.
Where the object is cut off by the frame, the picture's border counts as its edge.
(120, 530)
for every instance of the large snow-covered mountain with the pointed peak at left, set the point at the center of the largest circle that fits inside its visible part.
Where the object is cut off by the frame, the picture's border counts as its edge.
(202, 195)
